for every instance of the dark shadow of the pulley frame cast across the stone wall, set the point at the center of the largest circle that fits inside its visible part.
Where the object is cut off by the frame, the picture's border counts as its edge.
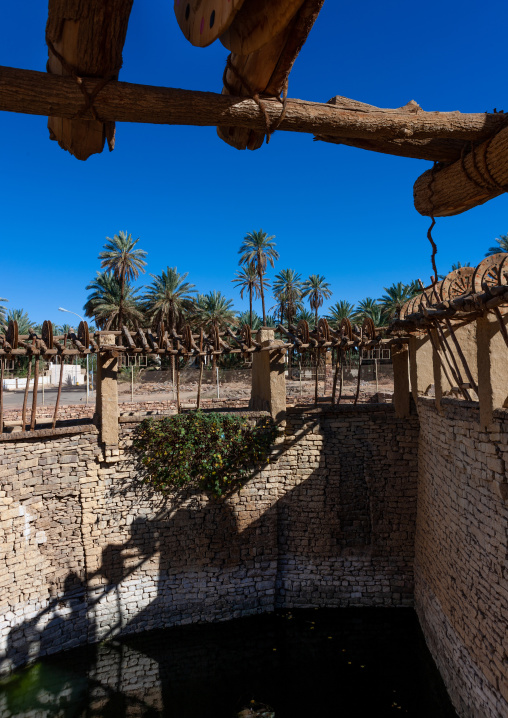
(196, 561)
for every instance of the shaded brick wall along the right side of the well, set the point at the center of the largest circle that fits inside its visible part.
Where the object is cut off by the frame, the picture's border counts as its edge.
(461, 566)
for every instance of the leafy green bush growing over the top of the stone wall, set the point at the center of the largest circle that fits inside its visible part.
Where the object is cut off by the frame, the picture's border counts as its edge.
(207, 451)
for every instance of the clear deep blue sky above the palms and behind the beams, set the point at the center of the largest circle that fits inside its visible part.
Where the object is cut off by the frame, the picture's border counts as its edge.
(337, 211)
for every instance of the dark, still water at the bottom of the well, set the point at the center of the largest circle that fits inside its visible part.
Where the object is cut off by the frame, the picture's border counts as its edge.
(344, 663)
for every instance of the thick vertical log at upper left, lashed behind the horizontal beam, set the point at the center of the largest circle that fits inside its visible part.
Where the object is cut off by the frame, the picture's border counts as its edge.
(85, 38)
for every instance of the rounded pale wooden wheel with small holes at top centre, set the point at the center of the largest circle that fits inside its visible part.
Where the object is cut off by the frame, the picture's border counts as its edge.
(203, 21)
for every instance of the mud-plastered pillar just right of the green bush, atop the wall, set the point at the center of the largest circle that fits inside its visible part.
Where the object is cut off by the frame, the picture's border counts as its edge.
(268, 378)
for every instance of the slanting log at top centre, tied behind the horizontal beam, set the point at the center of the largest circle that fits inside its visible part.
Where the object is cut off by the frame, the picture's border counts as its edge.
(266, 71)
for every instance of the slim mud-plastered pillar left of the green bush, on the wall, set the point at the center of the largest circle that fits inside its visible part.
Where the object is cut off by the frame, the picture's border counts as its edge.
(107, 397)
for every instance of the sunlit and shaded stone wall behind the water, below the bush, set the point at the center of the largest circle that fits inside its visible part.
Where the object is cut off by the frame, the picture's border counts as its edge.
(89, 553)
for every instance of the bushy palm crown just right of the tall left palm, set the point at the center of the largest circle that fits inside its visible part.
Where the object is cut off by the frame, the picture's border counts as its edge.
(169, 297)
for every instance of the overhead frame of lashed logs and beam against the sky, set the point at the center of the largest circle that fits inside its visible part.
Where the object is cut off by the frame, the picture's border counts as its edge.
(83, 98)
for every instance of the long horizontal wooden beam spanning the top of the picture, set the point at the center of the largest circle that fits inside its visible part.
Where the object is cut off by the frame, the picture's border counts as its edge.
(38, 93)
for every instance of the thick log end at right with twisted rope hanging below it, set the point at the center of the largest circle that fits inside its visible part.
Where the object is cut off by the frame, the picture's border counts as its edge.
(470, 181)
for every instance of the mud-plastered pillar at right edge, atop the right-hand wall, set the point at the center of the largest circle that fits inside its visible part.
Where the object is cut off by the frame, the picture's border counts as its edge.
(492, 355)
